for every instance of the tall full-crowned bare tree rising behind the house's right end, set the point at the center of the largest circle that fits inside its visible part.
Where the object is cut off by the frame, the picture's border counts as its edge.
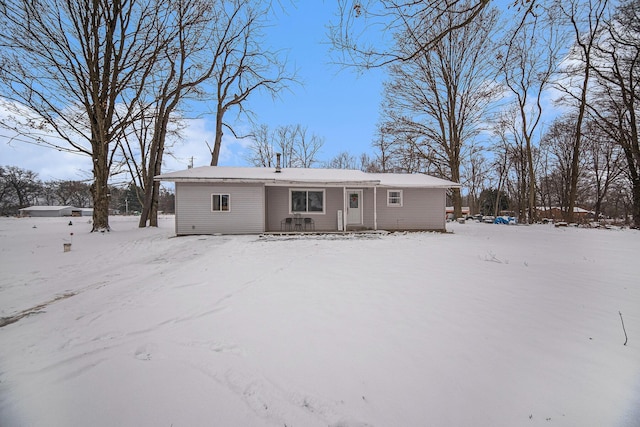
(439, 98)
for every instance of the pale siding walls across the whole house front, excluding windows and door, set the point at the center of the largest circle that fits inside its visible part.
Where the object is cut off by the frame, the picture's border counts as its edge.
(255, 209)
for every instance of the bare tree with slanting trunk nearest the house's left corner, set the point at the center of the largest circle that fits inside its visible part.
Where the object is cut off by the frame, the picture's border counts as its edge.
(182, 65)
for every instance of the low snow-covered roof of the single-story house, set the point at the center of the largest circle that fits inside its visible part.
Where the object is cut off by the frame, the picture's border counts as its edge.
(304, 176)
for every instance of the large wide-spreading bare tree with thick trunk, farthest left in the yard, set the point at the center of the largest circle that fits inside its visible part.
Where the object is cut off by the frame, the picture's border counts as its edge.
(72, 66)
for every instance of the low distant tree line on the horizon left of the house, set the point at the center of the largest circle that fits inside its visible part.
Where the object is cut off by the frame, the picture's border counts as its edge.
(21, 188)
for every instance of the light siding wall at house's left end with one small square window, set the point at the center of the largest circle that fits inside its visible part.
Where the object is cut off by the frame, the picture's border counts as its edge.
(194, 215)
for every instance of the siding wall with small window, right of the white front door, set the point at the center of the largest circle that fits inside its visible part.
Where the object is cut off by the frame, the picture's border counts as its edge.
(422, 209)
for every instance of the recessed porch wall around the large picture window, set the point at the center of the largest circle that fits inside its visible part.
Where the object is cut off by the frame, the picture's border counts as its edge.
(278, 208)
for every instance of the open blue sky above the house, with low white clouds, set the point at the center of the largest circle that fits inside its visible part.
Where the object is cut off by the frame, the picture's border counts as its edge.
(338, 105)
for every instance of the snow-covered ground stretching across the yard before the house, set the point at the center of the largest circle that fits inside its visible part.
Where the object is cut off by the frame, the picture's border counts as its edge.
(488, 325)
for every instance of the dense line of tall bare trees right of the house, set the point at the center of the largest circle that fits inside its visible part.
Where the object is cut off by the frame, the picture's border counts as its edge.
(537, 102)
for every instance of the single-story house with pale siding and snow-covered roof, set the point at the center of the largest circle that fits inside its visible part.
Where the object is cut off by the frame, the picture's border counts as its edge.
(237, 200)
